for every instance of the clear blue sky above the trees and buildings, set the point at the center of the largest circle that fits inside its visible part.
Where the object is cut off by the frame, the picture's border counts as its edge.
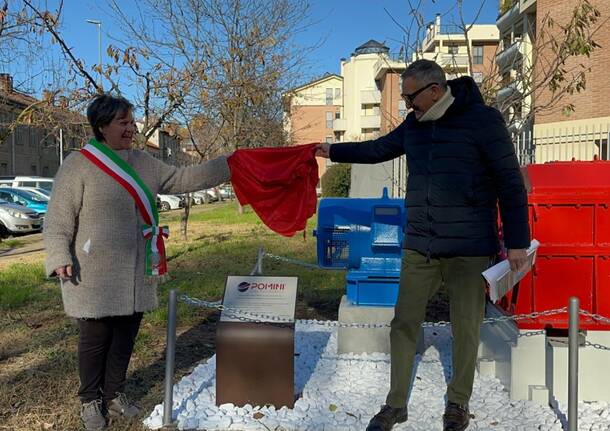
(342, 25)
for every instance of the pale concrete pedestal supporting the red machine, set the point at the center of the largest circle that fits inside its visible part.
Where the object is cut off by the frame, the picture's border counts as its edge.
(534, 366)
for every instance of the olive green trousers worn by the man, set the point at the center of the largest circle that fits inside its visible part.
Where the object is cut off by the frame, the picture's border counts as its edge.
(420, 279)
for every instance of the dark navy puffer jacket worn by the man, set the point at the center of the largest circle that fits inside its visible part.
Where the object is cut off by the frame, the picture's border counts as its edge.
(460, 167)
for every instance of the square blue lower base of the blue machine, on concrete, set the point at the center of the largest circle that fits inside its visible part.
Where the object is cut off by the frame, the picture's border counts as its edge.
(367, 289)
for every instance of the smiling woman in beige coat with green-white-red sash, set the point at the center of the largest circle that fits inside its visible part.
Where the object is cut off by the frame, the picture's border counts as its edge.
(103, 204)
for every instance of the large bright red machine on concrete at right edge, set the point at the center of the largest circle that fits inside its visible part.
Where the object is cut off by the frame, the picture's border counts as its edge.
(570, 216)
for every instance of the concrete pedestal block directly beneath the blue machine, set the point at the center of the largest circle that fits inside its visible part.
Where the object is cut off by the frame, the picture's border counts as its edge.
(366, 340)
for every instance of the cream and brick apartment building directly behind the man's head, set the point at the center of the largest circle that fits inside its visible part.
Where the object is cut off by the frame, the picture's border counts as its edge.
(449, 45)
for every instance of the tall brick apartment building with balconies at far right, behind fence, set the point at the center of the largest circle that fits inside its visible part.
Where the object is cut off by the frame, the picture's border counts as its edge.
(545, 131)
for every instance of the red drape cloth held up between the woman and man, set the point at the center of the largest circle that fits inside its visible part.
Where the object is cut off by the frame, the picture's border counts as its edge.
(278, 183)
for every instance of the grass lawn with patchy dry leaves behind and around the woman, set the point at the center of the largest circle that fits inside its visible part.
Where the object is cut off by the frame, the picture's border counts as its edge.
(38, 374)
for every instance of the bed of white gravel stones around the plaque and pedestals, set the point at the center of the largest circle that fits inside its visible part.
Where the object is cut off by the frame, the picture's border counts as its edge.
(342, 392)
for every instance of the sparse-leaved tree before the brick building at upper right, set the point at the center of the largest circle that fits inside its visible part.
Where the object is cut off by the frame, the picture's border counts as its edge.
(554, 69)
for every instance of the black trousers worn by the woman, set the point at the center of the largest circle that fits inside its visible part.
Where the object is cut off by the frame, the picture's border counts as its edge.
(104, 350)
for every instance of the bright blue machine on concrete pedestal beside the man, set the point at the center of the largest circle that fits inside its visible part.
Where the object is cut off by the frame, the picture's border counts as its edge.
(363, 236)
